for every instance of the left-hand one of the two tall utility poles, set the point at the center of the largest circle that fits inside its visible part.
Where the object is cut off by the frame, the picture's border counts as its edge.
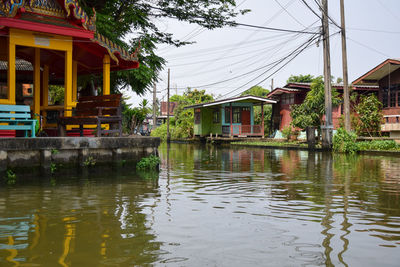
(327, 129)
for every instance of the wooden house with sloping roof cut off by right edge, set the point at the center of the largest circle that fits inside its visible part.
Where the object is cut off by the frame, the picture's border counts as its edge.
(386, 76)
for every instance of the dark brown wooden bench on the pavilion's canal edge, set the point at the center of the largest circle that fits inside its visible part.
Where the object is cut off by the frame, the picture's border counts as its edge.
(95, 110)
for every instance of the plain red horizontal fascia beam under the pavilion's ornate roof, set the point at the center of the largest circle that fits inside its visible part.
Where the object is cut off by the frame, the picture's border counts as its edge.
(39, 27)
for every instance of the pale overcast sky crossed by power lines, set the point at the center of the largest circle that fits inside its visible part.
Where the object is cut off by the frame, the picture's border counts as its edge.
(225, 62)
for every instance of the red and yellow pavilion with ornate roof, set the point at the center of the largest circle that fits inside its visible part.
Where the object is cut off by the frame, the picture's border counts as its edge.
(53, 42)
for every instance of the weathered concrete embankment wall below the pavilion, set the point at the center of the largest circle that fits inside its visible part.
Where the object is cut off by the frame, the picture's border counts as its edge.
(69, 151)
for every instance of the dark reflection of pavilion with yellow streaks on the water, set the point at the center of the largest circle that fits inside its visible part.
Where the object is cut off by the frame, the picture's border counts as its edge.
(102, 218)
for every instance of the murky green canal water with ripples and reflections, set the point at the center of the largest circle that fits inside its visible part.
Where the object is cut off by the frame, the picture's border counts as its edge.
(209, 206)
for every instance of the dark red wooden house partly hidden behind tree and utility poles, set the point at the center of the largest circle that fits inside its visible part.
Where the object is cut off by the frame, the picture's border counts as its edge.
(295, 93)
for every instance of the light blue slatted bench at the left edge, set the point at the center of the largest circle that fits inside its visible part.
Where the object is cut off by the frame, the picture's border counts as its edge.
(17, 117)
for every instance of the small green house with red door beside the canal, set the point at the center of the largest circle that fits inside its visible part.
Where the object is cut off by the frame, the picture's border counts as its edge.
(229, 117)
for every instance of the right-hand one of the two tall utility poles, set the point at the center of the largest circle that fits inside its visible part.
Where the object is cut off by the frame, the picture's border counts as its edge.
(346, 94)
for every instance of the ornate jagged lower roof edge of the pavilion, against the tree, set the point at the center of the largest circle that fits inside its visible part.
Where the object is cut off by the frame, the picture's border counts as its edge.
(115, 50)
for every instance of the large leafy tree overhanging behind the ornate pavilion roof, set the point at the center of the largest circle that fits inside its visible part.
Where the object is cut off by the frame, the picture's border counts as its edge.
(134, 20)
